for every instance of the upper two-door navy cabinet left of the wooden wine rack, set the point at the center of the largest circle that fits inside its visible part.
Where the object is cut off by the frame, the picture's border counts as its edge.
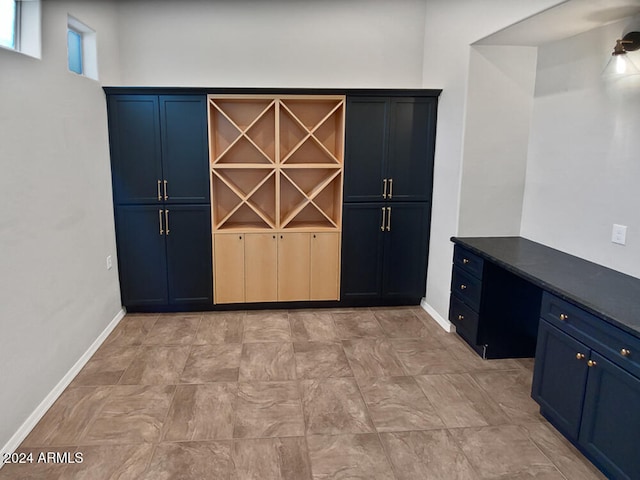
(158, 149)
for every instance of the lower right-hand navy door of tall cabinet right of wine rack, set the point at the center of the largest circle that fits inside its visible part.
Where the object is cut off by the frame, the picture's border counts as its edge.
(405, 250)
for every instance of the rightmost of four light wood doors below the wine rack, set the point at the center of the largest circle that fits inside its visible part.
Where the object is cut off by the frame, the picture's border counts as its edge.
(325, 266)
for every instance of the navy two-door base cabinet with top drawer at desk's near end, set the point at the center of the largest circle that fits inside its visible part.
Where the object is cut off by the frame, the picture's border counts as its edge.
(586, 382)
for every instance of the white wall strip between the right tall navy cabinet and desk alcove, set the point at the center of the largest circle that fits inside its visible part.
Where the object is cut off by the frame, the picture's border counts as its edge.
(451, 27)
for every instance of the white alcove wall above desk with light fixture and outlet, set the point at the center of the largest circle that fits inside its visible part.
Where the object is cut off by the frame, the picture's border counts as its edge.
(584, 153)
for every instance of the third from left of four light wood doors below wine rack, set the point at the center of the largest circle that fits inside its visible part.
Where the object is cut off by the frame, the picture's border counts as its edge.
(293, 266)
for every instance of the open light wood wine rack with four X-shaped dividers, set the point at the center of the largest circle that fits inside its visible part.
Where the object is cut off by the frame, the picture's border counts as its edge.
(276, 162)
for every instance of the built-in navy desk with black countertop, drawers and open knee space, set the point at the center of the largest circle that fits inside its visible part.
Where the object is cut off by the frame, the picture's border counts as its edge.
(512, 297)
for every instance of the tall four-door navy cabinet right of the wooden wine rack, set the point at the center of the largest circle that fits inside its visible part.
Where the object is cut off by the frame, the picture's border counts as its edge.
(389, 149)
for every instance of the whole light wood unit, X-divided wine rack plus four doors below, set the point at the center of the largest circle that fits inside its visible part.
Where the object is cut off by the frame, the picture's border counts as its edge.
(276, 168)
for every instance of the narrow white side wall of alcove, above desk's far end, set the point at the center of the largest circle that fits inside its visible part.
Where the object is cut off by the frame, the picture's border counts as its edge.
(499, 106)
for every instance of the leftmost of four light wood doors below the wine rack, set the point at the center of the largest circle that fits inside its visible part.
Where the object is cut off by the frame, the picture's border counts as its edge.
(229, 268)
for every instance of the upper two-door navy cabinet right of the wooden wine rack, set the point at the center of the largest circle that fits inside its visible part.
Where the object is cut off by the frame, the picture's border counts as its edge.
(389, 149)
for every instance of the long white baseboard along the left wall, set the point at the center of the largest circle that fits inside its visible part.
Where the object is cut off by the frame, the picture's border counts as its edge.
(31, 421)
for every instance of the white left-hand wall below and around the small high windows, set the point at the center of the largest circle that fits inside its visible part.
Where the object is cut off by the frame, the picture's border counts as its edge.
(56, 220)
